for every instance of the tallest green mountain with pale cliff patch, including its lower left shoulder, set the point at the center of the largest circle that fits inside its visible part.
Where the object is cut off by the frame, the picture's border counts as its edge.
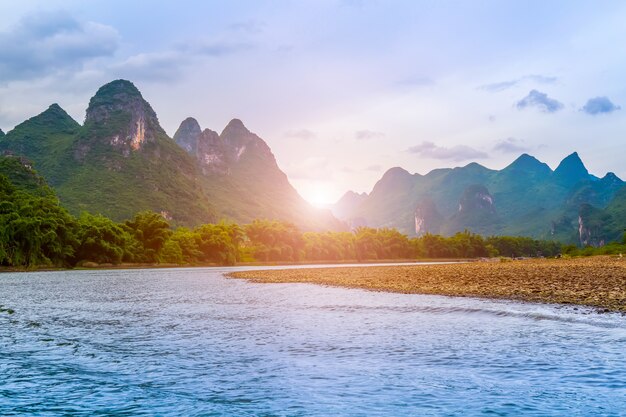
(118, 163)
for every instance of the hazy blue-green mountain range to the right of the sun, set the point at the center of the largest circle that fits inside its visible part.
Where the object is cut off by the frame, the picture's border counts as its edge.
(526, 198)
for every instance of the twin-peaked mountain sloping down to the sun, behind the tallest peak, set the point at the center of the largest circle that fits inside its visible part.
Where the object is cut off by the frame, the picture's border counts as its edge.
(242, 178)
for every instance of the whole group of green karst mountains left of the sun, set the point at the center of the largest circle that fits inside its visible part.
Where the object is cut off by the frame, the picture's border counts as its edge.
(120, 161)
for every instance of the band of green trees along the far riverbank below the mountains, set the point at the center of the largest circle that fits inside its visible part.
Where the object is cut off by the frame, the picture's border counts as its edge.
(35, 231)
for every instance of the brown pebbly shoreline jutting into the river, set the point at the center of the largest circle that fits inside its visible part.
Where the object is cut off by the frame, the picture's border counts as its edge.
(598, 282)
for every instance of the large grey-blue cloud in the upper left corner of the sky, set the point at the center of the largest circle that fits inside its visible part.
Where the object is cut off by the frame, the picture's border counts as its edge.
(47, 42)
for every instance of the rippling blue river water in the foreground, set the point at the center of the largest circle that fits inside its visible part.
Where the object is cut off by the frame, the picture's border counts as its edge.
(188, 342)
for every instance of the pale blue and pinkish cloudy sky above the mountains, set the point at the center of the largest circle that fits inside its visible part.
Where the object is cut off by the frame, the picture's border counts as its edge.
(341, 90)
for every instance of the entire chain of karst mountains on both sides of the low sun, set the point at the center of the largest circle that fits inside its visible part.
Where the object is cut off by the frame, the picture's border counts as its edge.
(120, 161)
